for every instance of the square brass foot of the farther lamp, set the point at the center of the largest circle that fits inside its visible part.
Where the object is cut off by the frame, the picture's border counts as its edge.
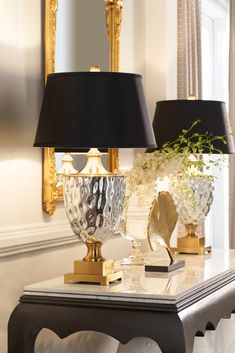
(191, 245)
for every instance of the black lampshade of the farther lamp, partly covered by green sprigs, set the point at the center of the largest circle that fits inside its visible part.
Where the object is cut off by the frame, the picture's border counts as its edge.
(172, 116)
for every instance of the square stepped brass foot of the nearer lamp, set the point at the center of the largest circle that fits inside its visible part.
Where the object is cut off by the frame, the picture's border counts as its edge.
(101, 272)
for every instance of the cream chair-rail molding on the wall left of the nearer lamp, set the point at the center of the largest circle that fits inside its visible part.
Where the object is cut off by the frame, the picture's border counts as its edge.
(25, 238)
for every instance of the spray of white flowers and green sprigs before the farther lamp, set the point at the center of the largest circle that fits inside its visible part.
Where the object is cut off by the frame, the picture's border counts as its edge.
(177, 156)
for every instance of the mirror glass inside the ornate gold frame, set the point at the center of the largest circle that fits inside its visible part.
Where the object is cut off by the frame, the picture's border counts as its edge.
(81, 42)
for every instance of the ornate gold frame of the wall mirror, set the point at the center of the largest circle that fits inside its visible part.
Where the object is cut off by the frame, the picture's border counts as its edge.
(113, 8)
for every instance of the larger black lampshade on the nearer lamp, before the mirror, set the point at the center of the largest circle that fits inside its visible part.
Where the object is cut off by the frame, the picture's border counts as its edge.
(94, 109)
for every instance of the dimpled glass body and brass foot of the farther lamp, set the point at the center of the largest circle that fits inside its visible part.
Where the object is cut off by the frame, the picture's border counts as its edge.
(193, 196)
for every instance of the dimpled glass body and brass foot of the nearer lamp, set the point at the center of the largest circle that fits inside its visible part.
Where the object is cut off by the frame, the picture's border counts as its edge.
(93, 206)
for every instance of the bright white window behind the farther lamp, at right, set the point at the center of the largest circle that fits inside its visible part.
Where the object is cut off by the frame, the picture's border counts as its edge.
(215, 57)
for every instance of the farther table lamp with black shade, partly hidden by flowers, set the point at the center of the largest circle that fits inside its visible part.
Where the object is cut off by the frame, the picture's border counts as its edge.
(171, 117)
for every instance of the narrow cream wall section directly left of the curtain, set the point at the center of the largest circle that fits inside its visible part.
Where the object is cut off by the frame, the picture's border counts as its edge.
(161, 51)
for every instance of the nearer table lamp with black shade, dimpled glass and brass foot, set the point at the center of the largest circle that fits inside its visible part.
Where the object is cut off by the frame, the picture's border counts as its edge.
(94, 110)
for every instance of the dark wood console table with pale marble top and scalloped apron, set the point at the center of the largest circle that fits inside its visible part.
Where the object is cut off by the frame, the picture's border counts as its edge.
(169, 308)
